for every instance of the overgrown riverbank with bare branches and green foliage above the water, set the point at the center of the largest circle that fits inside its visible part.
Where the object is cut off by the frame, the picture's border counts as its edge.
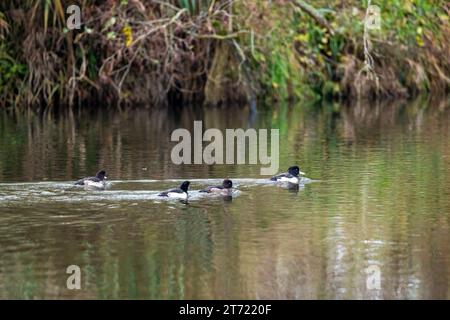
(216, 52)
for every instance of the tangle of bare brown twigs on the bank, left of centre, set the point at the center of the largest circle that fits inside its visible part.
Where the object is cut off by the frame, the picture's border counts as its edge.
(171, 50)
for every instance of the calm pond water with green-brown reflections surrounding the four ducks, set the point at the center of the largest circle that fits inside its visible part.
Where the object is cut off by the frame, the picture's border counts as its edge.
(378, 205)
